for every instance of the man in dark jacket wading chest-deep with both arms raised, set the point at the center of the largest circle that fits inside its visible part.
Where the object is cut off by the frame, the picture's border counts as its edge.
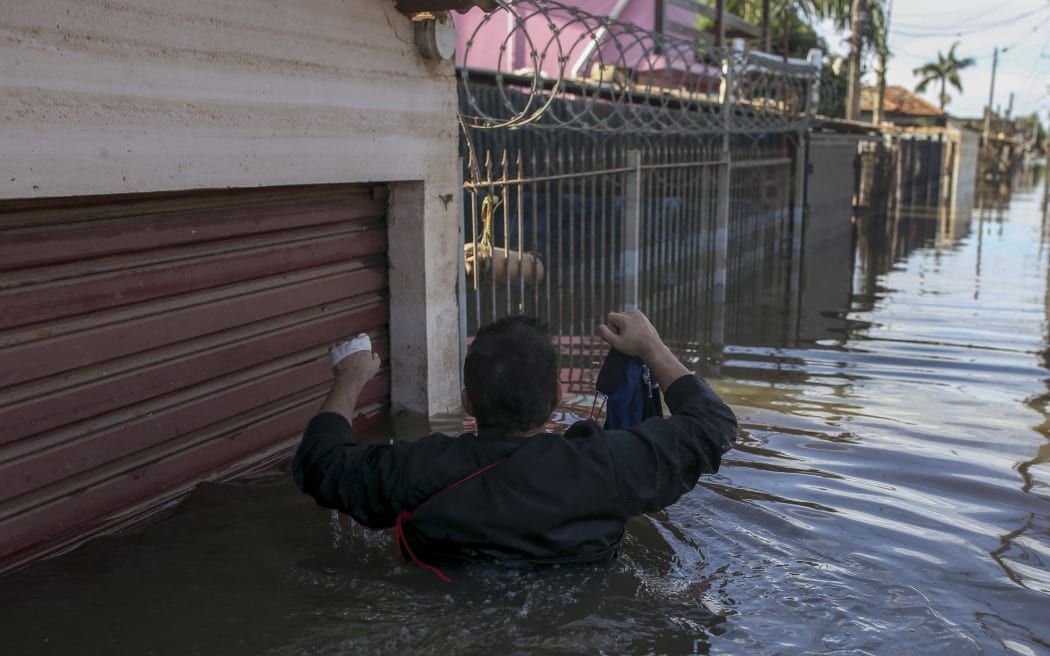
(514, 492)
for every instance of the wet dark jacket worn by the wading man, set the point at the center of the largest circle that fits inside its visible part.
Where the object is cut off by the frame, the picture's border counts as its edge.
(553, 499)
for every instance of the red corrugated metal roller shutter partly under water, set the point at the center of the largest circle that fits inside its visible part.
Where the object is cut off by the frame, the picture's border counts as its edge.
(153, 342)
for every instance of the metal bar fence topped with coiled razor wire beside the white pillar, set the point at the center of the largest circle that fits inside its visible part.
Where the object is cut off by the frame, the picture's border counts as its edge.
(608, 166)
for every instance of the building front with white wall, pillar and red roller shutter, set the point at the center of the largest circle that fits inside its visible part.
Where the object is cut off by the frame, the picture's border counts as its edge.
(198, 200)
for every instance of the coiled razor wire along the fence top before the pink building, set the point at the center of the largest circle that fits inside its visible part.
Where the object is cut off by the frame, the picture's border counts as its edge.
(554, 66)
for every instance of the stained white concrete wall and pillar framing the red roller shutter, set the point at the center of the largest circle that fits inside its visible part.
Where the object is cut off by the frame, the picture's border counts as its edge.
(141, 96)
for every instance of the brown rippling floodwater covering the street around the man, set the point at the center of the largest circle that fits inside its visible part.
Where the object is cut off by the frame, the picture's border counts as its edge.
(890, 495)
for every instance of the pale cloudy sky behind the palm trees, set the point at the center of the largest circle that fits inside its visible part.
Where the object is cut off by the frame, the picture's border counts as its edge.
(920, 29)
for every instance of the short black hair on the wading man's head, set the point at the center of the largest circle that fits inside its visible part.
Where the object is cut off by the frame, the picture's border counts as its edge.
(511, 375)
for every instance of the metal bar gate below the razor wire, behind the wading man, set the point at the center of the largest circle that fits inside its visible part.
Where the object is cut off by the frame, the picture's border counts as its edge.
(577, 226)
